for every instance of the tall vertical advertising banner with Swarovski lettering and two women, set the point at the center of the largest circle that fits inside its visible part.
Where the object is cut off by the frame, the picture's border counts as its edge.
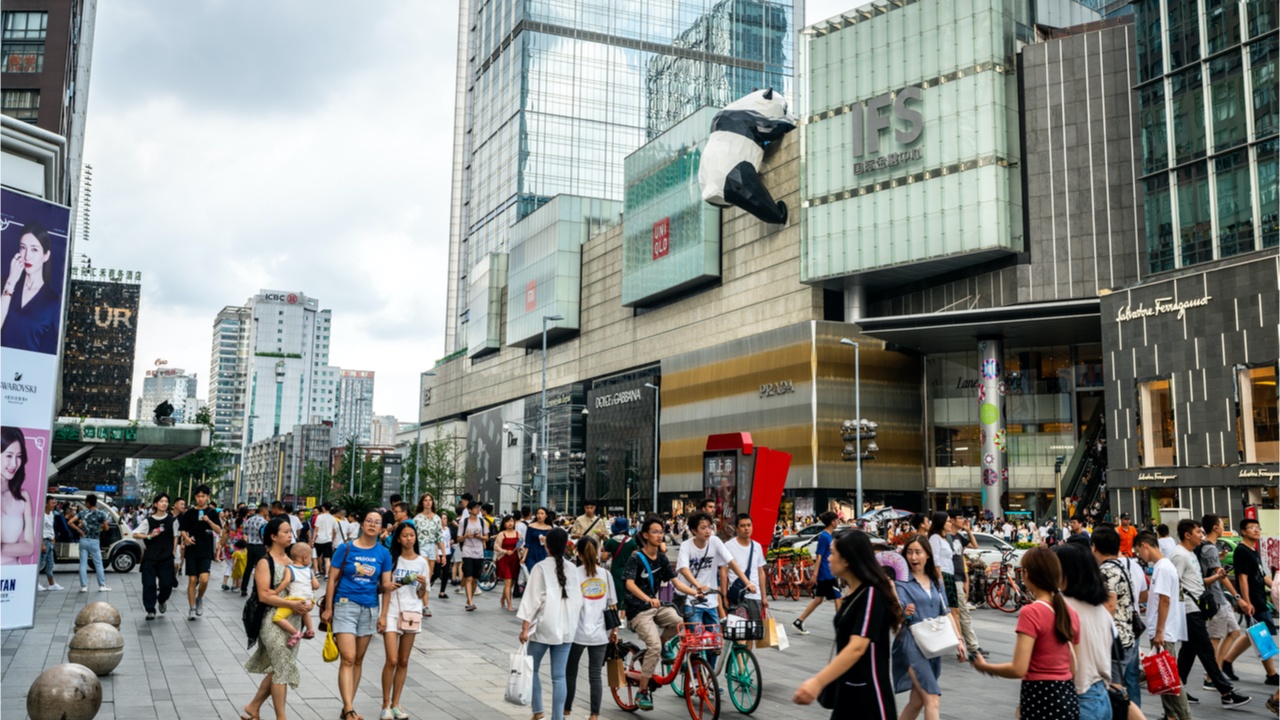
(34, 241)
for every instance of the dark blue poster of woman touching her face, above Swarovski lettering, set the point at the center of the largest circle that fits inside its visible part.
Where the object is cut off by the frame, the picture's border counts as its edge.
(34, 263)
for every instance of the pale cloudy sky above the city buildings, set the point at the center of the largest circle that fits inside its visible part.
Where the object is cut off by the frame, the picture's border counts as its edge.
(287, 145)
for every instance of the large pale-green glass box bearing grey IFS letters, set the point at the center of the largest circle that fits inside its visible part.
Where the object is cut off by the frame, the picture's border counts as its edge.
(911, 138)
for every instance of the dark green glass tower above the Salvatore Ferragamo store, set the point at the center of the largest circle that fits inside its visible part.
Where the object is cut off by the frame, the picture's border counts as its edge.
(1210, 116)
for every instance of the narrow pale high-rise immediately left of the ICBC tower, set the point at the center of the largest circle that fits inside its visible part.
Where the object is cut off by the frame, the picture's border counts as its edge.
(228, 373)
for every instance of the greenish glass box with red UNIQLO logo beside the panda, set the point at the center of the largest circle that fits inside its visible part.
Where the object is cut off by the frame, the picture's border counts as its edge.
(671, 239)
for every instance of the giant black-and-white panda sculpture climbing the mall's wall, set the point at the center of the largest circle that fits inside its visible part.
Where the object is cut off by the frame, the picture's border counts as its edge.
(729, 171)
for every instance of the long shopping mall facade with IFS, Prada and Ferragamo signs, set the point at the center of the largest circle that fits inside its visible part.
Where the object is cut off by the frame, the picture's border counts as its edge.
(972, 211)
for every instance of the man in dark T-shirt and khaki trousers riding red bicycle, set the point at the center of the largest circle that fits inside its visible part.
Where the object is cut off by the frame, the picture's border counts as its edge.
(648, 569)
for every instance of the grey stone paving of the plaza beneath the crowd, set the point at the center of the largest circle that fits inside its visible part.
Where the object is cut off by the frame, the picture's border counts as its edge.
(194, 671)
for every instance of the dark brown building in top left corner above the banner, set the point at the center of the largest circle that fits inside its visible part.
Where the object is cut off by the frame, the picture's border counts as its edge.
(45, 72)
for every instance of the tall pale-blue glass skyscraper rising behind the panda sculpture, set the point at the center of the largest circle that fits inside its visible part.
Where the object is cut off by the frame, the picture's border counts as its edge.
(555, 94)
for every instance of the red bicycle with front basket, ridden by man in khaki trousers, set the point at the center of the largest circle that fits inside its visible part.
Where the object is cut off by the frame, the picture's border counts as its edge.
(701, 687)
